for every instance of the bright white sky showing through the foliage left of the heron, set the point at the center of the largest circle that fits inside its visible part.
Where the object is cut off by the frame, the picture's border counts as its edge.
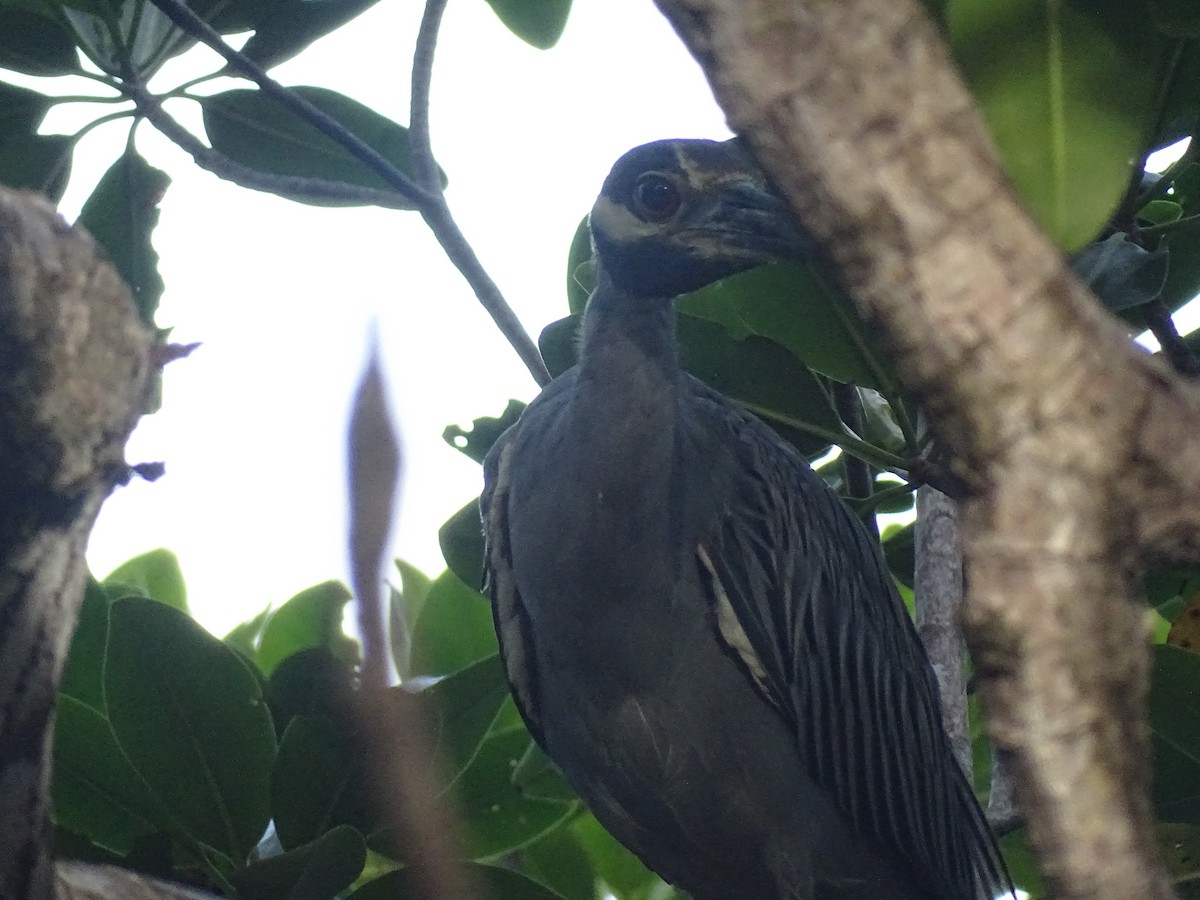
(283, 296)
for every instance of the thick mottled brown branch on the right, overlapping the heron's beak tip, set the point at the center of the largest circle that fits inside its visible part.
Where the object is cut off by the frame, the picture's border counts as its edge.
(1079, 448)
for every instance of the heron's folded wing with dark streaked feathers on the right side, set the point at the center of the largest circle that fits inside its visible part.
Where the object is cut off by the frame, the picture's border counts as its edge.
(803, 596)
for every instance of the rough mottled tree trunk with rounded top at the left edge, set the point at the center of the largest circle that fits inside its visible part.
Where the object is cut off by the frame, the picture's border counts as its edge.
(75, 364)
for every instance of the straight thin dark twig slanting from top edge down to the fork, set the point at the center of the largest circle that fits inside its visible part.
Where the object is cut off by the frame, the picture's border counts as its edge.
(369, 157)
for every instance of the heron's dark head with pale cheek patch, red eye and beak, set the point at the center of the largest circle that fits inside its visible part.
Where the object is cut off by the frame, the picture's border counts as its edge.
(677, 215)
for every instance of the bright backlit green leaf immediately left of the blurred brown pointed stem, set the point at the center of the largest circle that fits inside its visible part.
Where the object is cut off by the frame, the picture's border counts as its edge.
(311, 619)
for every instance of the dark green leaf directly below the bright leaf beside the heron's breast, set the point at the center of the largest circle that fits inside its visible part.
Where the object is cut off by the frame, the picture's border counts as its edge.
(461, 711)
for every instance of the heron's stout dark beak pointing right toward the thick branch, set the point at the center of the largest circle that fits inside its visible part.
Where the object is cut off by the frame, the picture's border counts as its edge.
(758, 223)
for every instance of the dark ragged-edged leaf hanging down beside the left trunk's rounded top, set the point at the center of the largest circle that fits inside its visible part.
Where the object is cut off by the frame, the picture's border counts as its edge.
(122, 215)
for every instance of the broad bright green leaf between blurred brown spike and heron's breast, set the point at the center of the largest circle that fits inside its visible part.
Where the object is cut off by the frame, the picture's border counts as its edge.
(454, 629)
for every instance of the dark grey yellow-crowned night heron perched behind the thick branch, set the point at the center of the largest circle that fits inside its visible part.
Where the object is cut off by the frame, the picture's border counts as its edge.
(697, 631)
